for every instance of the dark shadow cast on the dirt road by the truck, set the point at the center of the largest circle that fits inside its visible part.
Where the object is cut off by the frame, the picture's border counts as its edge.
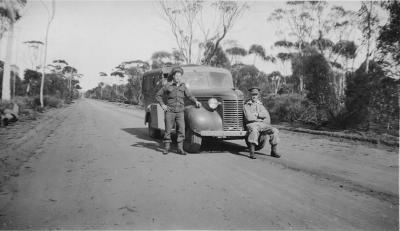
(208, 146)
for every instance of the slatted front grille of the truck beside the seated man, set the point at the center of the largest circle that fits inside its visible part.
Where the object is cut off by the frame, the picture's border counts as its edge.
(232, 111)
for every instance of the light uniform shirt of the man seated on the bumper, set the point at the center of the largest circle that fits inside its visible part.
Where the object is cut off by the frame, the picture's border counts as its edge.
(255, 110)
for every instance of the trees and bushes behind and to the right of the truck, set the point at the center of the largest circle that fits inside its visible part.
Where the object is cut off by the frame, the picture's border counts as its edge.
(336, 69)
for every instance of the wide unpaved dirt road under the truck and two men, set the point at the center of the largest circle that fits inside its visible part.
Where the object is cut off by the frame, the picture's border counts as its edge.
(98, 169)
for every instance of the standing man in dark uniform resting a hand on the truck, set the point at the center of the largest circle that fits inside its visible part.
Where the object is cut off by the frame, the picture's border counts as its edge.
(175, 92)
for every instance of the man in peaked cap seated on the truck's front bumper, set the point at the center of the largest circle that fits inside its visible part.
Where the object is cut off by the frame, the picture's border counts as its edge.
(257, 121)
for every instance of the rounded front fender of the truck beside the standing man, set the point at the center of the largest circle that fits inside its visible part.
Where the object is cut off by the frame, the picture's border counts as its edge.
(201, 119)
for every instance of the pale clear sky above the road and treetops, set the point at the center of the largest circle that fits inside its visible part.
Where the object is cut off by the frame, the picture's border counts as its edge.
(95, 36)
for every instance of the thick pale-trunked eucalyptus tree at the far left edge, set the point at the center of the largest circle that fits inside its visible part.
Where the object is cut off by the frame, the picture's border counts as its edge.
(9, 14)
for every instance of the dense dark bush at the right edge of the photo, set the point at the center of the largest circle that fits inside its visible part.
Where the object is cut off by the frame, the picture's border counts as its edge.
(372, 100)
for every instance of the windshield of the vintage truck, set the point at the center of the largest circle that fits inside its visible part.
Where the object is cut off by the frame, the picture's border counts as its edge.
(207, 80)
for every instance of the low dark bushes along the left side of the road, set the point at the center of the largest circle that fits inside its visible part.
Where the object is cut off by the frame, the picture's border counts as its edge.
(59, 89)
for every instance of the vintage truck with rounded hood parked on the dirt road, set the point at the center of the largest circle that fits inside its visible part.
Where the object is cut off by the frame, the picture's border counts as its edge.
(221, 114)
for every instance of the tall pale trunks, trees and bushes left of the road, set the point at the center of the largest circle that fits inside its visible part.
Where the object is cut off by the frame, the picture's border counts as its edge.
(43, 85)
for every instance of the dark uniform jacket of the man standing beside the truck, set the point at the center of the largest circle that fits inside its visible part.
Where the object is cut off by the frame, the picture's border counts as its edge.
(175, 96)
